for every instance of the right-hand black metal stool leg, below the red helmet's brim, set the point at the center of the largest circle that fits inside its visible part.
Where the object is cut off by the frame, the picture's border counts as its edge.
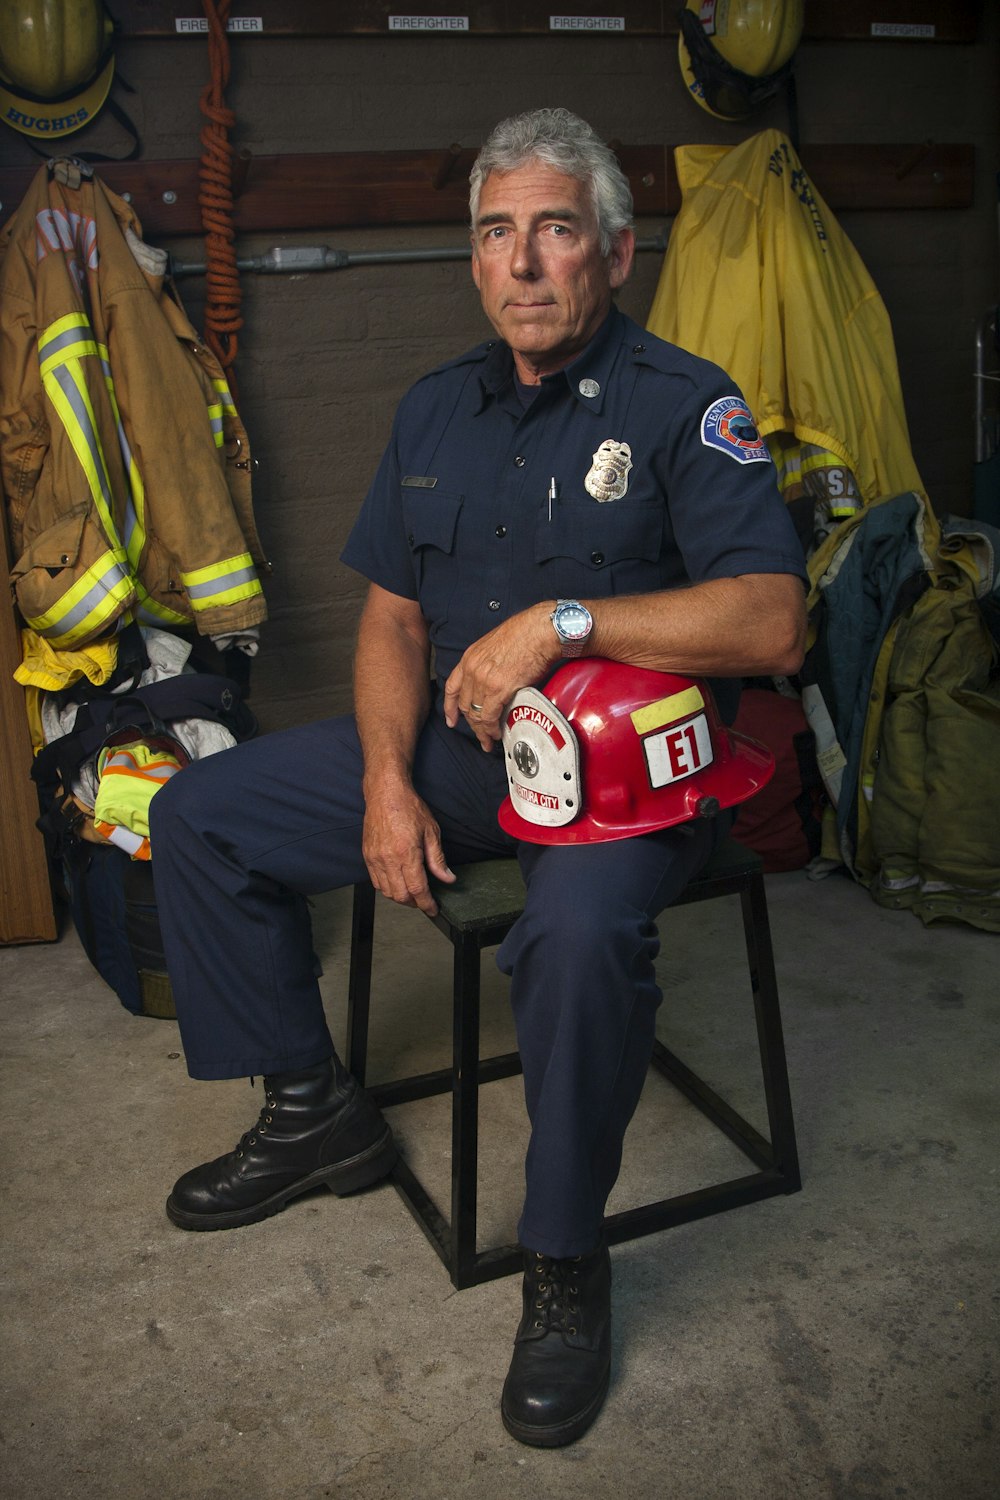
(770, 1034)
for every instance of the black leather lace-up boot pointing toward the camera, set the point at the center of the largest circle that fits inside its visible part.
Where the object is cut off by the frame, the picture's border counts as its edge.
(563, 1352)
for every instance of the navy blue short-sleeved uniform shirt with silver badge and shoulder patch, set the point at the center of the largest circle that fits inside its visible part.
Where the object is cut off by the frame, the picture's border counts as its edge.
(460, 515)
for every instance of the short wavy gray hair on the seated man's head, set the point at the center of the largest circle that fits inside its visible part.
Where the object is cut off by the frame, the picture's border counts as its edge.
(569, 145)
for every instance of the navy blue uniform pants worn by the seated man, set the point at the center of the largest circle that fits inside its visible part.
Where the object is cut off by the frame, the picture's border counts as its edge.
(242, 839)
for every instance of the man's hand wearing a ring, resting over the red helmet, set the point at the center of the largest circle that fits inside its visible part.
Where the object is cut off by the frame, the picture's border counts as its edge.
(515, 655)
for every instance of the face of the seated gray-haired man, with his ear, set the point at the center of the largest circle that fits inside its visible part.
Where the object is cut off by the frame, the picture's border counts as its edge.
(537, 263)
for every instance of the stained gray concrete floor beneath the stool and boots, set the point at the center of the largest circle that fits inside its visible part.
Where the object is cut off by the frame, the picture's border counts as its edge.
(840, 1343)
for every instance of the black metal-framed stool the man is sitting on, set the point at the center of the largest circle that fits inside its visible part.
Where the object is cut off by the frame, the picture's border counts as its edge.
(478, 913)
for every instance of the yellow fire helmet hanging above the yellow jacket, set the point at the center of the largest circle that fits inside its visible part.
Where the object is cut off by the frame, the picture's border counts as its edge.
(737, 55)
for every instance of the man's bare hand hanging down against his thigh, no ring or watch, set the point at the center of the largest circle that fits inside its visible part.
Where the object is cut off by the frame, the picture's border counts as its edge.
(401, 845)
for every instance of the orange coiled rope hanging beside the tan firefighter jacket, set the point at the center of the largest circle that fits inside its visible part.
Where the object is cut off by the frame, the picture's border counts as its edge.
(224, 295)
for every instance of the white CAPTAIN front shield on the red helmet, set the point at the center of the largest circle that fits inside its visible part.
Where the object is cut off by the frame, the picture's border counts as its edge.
(543, 761)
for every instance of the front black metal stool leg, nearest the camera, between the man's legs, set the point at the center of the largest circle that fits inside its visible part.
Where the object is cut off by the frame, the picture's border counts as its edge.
(466, 1103)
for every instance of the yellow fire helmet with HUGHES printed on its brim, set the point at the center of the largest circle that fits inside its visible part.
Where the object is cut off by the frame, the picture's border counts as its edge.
(56, 65)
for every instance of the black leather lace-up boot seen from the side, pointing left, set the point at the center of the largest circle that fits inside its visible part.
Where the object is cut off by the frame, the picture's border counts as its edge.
(317, 1129)
